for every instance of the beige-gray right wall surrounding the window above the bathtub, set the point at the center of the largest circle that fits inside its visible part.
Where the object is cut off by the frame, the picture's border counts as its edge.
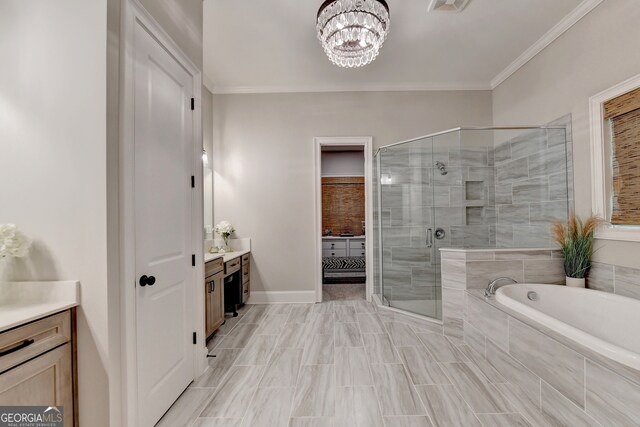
(598, 52)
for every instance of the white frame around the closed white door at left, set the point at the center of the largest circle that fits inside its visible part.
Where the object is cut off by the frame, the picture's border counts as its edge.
(124, 331)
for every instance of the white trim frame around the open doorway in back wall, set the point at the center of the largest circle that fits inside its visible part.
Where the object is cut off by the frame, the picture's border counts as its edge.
(367, 144)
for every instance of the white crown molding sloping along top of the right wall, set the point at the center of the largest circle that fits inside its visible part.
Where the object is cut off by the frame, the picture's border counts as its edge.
(549, 37)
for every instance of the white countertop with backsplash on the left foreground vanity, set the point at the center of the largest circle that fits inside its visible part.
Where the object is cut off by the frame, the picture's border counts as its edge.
(23, 302)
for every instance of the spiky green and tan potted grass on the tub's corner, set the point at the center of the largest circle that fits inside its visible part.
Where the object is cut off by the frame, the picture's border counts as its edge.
(576, 245)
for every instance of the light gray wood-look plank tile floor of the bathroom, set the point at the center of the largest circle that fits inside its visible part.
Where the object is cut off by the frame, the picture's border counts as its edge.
(339, 363)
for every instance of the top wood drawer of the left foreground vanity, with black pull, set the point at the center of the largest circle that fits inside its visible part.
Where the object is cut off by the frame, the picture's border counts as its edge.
(26, 342)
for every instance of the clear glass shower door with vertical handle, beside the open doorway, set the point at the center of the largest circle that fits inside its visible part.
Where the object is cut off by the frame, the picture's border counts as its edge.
(409, 258)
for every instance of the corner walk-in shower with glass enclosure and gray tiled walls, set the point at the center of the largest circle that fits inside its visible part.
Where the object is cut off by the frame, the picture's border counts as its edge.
(463, 188)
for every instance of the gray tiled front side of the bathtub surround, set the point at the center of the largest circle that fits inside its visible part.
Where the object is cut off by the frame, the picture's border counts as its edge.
(552, 380)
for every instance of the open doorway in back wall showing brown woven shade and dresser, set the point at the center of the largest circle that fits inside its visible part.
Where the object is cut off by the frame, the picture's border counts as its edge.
(342, 193)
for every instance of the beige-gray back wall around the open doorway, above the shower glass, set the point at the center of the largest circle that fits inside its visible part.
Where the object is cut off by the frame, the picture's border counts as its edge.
(264, 167)
